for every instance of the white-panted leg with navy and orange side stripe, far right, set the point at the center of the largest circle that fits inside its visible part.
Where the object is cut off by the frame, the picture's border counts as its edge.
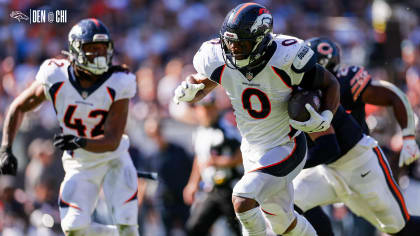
(381, 202)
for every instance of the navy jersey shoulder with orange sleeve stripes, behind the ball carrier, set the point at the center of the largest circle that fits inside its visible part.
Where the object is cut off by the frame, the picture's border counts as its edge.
(353, 81)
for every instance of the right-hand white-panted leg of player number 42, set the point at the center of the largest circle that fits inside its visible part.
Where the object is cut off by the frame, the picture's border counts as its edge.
(120, 189)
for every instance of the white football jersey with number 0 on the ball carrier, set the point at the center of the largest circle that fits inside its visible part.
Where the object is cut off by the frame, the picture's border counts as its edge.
(260, 101)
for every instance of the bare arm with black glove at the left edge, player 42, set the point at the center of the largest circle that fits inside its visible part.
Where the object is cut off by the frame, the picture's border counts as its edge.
(28, 100)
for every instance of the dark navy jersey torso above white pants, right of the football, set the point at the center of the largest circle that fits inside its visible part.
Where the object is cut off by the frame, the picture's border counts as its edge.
(347, 131)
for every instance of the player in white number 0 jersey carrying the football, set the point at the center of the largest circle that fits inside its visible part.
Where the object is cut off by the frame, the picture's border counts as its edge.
(258, 71)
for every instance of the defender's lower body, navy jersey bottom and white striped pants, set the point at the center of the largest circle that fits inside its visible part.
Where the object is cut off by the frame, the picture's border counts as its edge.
(355, 172)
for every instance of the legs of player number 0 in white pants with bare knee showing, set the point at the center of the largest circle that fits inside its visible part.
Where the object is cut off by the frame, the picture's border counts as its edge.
(275, 197)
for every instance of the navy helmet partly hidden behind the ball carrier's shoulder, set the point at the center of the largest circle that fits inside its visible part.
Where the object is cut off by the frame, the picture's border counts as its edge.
(327, 52)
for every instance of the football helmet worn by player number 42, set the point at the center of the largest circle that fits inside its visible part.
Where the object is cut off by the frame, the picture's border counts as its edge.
(90, 31)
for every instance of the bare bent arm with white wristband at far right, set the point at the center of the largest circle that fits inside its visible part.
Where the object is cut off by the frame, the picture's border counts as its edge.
(382, 93)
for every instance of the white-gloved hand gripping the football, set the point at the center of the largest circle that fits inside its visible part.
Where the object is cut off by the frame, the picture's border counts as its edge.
(317, 122)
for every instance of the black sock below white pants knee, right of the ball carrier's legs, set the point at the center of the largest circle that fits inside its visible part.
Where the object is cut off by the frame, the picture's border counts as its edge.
(318, 219)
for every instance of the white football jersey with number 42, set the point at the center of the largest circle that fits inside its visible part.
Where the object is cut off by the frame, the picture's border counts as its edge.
(82, 112)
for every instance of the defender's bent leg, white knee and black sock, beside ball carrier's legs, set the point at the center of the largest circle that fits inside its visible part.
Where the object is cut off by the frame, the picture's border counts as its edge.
(312, 189)
